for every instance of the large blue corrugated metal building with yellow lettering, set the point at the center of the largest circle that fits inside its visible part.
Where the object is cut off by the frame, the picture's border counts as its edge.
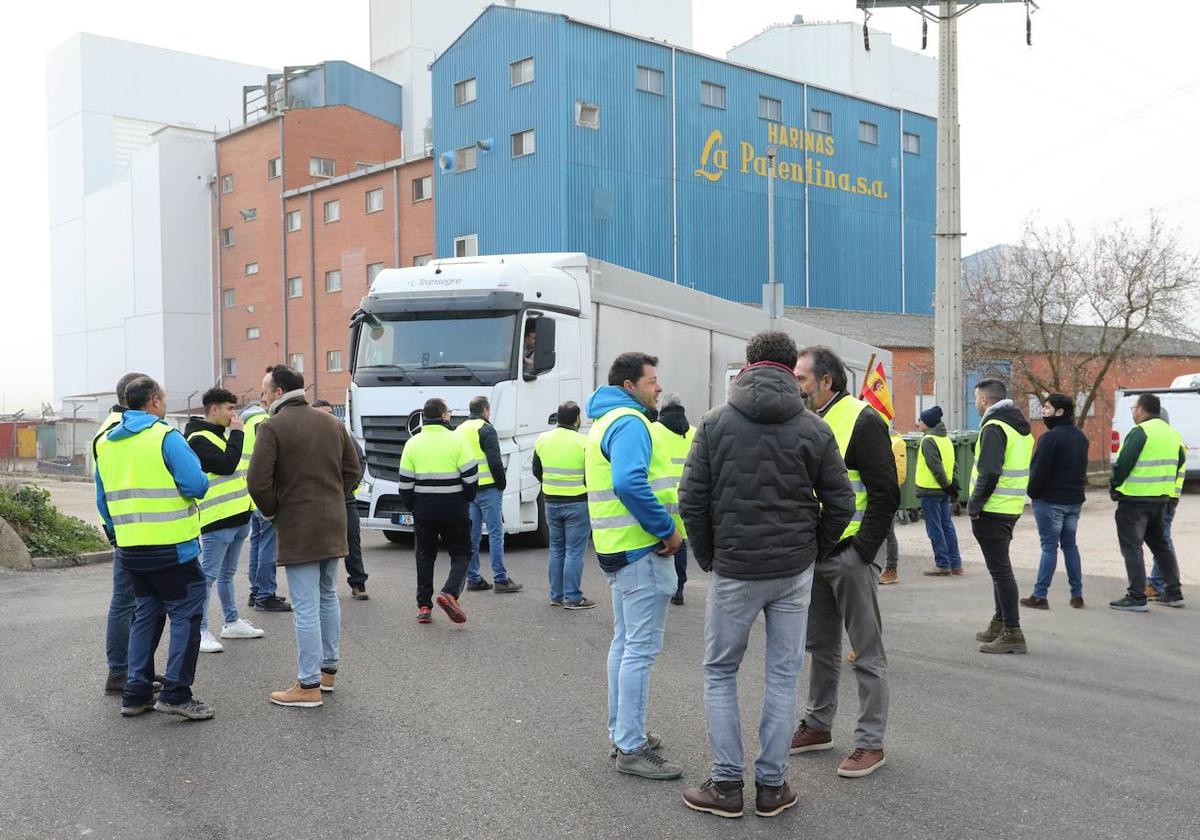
(557, 135)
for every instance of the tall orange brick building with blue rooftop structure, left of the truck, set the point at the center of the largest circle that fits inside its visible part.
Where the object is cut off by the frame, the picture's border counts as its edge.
(314, 200)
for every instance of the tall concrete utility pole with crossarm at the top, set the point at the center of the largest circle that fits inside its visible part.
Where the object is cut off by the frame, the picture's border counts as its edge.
(949, 386)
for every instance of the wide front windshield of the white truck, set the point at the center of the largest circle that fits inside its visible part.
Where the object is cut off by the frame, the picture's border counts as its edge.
(434, 347)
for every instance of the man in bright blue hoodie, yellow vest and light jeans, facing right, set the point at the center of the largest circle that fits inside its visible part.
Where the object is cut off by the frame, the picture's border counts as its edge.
(637, 541)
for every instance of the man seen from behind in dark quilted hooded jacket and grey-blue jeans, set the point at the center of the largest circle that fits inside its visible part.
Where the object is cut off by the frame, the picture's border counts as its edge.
(765, 497)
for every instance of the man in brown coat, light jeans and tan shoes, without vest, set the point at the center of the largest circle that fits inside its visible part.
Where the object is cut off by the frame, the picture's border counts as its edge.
(303, 469)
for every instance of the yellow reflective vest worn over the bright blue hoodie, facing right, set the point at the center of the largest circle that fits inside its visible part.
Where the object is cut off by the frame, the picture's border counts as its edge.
(615, 530)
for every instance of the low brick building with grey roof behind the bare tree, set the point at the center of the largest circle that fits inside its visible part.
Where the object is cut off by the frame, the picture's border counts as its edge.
(1155, 363)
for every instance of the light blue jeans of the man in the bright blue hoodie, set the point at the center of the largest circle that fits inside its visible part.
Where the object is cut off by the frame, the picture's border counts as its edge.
(640, 597)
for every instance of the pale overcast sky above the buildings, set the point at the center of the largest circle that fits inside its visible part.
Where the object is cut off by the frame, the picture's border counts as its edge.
(1100, 121)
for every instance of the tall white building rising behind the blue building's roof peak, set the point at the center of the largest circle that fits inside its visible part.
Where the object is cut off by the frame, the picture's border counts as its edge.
(409, 35)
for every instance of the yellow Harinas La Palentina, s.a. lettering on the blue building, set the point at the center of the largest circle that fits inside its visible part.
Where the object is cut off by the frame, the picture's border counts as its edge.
(715, 161)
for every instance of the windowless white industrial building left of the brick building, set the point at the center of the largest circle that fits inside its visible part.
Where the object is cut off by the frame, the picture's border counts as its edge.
(130, 130)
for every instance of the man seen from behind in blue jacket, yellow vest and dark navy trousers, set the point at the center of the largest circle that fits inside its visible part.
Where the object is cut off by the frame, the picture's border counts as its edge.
(148, 482)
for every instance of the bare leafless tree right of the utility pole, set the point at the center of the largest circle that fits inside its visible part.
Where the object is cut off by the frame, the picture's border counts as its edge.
(1065, 311)
